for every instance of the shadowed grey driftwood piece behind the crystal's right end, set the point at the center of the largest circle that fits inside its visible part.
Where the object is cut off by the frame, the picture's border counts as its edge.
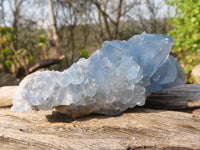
(177, 98)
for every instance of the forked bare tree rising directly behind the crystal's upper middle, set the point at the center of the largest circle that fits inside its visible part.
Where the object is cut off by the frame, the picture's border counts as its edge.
(109, 27)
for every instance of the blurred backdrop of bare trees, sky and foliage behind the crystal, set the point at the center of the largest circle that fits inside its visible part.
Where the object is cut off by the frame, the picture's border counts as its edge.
(53, 34)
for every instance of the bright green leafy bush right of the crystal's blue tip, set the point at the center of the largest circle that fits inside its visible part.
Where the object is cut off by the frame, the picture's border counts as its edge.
(186, 32)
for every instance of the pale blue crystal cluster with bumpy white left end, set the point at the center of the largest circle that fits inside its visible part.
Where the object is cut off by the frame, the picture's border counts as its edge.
(118, 76)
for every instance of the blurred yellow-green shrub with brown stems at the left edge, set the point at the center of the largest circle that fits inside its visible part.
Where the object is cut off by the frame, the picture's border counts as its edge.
(12, 56)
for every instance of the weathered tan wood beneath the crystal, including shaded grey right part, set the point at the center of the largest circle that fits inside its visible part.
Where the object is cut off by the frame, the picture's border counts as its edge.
(169, 120)
